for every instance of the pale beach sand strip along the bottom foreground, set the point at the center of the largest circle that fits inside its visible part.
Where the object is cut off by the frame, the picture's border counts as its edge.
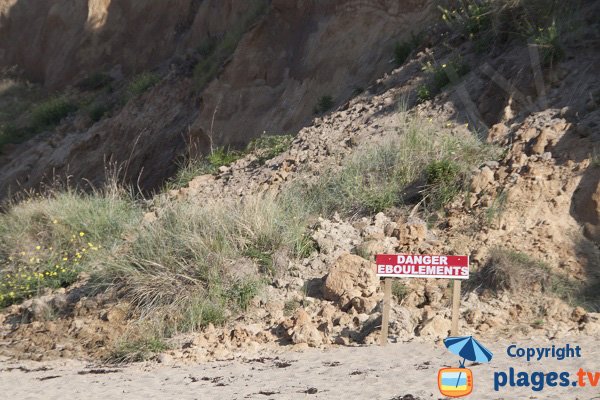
(345, 373)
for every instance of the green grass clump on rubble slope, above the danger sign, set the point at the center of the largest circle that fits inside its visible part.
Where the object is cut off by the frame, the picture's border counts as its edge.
(375, 178)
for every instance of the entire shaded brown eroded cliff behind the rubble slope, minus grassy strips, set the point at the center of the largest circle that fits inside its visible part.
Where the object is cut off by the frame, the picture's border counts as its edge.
(297, 51)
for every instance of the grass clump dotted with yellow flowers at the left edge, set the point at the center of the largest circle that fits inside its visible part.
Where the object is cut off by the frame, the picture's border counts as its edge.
(46, 242)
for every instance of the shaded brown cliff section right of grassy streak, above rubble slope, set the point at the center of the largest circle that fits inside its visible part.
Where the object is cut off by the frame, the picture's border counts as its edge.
(304, 50)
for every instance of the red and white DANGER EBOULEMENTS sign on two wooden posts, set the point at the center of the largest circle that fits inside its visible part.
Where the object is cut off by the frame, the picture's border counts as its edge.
(421, 266)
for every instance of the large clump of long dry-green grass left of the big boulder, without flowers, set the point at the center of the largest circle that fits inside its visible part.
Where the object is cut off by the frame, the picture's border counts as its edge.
(190, 264)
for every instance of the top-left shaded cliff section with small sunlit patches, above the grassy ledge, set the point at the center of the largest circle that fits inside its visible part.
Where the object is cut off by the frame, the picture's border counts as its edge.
(57, 42)
